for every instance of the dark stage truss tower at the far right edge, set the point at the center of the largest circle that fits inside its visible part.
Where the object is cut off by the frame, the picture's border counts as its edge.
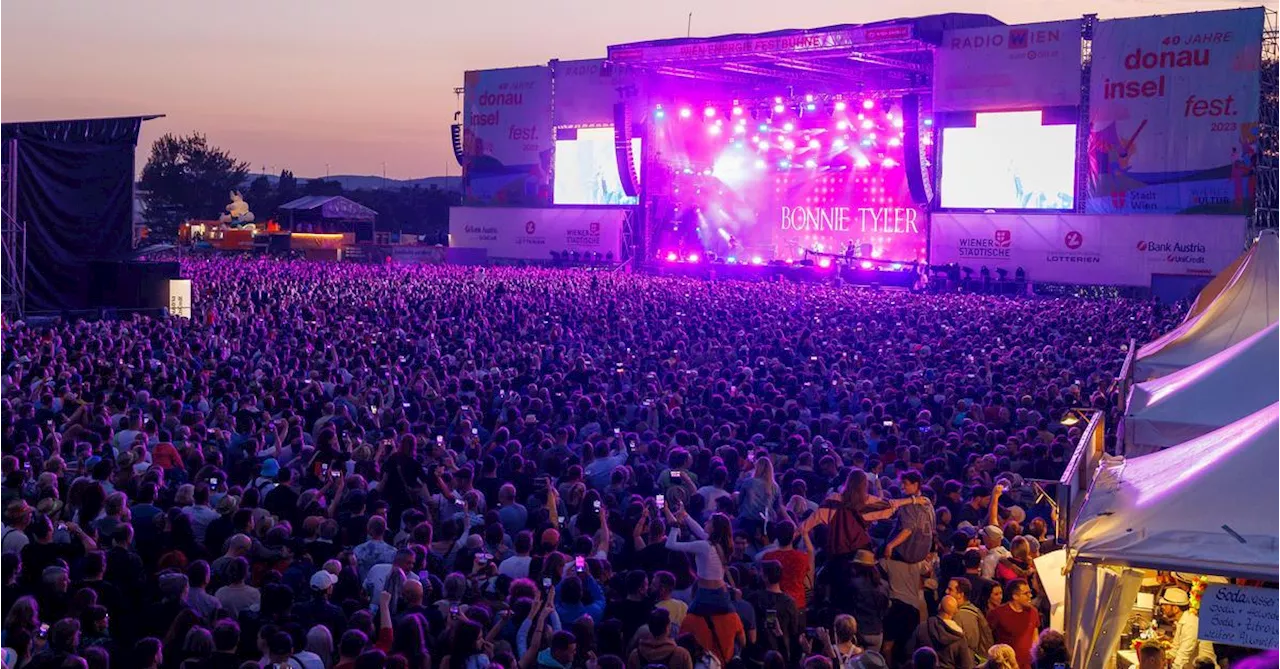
(1267, 209)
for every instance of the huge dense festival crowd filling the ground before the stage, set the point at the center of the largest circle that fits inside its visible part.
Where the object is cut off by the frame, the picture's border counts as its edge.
(365, 468)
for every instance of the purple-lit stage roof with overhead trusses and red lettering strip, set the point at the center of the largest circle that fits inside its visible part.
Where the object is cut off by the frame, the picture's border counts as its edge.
(890, 54)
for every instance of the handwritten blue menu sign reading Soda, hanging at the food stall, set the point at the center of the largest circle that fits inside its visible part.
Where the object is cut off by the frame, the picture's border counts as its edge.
(1238, 616)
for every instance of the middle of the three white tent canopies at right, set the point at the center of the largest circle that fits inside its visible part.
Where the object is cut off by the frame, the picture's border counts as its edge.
(1201, 398)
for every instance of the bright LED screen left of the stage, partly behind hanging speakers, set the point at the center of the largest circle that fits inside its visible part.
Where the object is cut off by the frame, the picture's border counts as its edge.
(587, 169)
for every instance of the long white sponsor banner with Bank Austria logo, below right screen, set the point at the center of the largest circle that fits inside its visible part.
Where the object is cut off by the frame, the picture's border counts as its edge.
(1081, 249)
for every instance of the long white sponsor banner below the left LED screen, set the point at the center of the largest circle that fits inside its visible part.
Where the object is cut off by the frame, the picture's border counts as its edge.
(534, 233)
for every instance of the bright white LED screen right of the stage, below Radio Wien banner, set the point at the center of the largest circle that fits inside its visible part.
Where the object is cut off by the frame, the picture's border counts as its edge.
(1009, 162)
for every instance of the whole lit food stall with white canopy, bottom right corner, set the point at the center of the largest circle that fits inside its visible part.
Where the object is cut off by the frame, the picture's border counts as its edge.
(1190, 531)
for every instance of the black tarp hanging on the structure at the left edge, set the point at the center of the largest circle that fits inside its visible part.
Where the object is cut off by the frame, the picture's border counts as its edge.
(76, 198)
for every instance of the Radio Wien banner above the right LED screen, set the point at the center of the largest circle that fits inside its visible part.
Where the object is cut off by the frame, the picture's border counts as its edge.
(1008, 68)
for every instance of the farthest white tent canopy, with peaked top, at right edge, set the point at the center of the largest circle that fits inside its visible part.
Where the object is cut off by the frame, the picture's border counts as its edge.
(1249, 304)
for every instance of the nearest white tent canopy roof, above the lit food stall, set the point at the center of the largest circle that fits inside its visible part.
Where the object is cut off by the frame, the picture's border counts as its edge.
(1204, 507)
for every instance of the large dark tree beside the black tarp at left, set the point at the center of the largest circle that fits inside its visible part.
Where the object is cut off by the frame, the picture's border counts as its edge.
(186, 178)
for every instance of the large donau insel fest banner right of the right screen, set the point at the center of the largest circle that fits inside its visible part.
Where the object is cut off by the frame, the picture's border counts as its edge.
(1174, 114)
